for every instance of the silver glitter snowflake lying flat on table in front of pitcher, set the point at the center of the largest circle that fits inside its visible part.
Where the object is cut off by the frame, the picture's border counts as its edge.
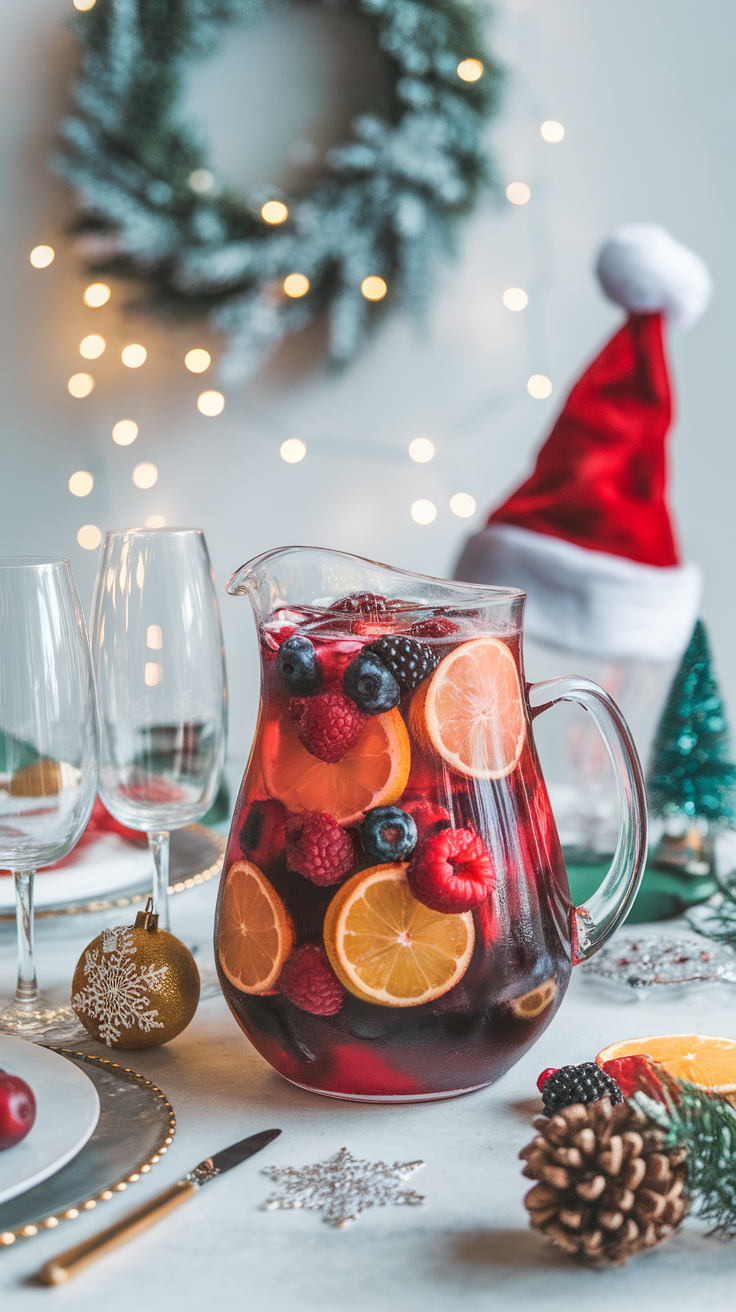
(343, 1188)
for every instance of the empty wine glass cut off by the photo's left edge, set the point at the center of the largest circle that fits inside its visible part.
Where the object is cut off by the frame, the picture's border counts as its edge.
(51, 746)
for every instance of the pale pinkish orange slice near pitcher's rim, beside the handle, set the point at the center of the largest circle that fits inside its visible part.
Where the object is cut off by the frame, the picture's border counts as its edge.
(473, 710)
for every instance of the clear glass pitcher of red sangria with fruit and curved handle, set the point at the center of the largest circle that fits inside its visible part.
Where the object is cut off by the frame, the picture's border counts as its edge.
(394, 919)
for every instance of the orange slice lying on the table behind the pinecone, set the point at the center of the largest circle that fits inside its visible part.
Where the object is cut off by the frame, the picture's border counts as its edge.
(700, 1059)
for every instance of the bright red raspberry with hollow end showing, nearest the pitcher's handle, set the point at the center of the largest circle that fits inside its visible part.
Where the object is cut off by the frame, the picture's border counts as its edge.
(452, 872)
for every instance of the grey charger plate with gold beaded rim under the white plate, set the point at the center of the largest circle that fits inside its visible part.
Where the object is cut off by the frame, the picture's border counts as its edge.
(137, 1125)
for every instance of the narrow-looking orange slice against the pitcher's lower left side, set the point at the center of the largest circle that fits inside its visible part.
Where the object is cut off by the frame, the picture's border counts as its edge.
(255, 931)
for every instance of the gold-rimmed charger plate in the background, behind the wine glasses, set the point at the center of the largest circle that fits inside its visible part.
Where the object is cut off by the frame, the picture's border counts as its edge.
(196, 856)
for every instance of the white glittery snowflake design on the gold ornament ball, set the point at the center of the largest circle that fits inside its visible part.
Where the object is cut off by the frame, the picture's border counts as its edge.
(117, 993)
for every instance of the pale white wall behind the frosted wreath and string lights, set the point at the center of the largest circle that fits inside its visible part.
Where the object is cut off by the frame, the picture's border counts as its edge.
(646, 92)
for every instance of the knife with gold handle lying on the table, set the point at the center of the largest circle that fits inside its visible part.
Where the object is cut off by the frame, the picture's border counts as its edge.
(68, 1264)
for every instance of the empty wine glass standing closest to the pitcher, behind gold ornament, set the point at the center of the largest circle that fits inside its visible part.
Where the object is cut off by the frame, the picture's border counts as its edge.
(159, 662)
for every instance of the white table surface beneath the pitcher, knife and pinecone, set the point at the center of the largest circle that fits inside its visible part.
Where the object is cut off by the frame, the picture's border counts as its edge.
(469, 1247)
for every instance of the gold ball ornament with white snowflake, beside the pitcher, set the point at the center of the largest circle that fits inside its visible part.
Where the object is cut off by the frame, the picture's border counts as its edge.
(136, 986)
